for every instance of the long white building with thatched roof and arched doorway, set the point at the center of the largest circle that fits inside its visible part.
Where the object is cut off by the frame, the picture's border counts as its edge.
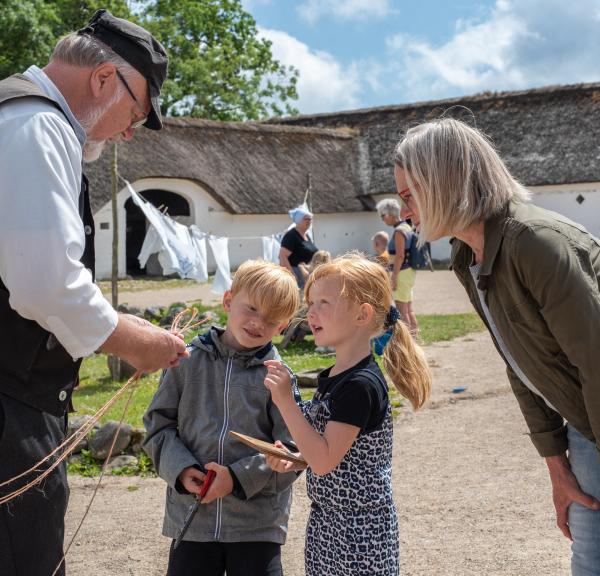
(239, 179)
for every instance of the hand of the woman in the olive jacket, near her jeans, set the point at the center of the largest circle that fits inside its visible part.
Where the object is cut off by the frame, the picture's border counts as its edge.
(565, 491)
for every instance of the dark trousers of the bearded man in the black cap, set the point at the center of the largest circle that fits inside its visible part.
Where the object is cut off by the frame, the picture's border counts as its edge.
(31, 525)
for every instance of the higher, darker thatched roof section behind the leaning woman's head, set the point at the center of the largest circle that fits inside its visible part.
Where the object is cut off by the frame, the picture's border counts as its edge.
(546, 136)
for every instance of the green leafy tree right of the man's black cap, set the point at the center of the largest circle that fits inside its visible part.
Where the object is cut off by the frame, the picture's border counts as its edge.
(219, 67)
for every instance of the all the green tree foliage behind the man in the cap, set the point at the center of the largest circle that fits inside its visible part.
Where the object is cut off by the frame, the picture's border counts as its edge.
(219, 67)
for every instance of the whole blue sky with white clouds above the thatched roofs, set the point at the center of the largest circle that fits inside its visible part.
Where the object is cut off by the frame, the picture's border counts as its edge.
(363, 53)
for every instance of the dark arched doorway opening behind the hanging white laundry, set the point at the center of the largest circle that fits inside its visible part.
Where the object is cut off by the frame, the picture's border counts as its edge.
(175, 205)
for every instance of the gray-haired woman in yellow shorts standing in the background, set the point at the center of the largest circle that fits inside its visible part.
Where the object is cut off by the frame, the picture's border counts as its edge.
(402, 275)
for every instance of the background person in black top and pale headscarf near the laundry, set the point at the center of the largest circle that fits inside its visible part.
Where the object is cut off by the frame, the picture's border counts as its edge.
(297, 248)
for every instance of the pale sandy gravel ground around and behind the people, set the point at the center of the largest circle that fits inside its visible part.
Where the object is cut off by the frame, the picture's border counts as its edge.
(472, 495)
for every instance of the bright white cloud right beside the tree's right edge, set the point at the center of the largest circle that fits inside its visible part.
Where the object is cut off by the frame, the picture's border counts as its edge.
(324, 85)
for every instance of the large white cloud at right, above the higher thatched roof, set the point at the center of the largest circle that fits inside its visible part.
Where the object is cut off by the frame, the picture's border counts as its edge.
(523, 43)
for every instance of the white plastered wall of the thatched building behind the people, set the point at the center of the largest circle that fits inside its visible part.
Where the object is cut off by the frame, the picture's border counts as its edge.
(336, 233)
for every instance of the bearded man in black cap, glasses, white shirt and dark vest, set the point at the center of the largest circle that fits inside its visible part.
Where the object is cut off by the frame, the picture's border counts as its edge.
(100, 84)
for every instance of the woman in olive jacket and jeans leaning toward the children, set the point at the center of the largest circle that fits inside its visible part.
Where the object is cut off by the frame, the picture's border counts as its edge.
(533, 276)
